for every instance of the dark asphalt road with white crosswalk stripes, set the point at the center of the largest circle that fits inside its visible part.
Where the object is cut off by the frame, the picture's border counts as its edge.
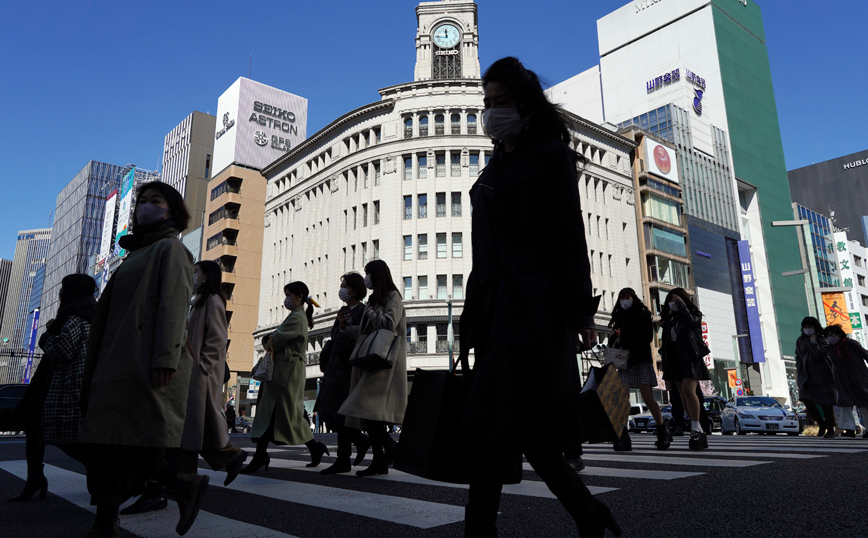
(751, 486)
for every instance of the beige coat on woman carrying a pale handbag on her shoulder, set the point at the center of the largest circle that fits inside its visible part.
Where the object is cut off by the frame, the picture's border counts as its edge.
(380, 396)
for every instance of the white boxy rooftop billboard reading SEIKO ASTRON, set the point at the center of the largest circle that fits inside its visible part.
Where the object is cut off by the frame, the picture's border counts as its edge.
(257, 124)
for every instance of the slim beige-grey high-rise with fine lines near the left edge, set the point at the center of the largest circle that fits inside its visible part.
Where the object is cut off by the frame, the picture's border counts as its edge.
(31, 253)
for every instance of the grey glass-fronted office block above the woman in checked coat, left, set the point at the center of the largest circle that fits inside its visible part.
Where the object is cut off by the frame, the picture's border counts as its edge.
(78, 228)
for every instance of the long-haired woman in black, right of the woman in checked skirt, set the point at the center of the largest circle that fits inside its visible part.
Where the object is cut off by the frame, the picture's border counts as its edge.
(683, 352)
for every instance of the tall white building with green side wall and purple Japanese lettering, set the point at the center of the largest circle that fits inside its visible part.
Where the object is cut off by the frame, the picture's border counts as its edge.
(681, 67)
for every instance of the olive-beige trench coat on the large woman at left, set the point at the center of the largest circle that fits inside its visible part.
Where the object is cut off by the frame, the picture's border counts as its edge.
(140, 324)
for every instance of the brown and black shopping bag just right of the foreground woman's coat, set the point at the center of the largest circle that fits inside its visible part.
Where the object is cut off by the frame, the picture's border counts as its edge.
(605, 405)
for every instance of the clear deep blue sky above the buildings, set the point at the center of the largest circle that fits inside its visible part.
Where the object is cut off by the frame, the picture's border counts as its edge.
(106, 81)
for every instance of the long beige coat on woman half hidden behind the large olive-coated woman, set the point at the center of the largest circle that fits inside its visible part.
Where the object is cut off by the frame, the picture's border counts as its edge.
(205, 426)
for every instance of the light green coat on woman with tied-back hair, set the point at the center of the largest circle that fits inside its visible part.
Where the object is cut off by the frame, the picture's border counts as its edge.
(283, 396)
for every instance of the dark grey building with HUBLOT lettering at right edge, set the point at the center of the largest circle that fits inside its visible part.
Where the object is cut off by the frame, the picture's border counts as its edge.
(837, 188)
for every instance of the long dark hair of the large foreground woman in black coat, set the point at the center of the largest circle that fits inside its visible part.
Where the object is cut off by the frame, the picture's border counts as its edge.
(544, 119)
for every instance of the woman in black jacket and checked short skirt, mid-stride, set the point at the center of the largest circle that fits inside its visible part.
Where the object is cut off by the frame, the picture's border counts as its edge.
(631, 321)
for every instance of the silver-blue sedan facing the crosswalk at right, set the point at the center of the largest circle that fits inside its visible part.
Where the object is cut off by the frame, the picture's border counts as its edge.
(758, 414)
